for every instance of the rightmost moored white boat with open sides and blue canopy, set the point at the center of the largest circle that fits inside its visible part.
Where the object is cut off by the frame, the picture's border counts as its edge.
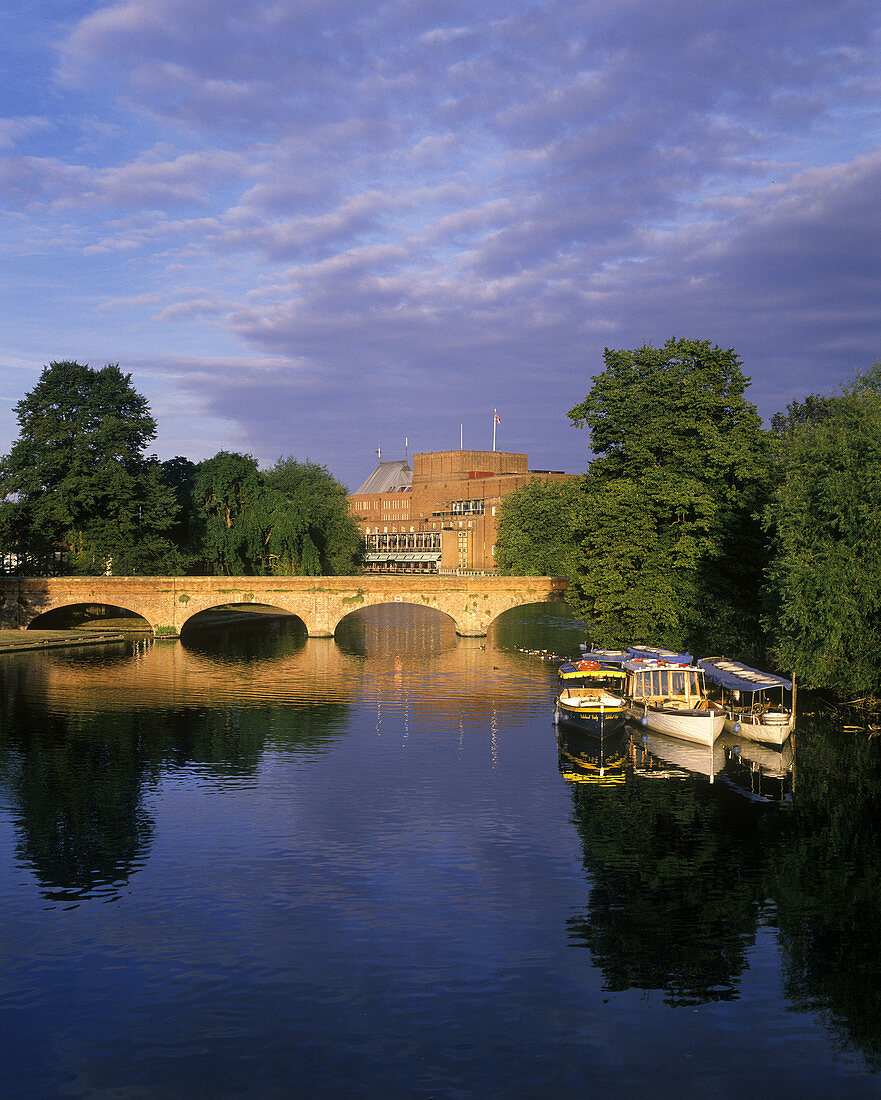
(758, 706)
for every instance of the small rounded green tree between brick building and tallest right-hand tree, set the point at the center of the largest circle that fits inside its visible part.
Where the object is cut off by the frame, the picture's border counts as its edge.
(541, 527)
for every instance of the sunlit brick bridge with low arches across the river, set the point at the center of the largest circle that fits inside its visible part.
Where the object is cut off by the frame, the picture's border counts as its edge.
(322, 602)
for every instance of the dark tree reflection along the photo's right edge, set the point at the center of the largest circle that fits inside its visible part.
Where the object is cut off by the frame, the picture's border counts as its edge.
(830, 886)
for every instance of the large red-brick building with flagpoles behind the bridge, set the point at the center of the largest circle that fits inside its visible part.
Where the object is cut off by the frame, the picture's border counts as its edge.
(442, 515)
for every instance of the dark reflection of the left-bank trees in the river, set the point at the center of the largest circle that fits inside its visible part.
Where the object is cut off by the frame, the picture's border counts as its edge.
(78, 776)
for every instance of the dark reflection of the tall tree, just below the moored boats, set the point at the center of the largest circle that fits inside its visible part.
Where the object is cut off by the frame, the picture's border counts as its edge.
(678, 882)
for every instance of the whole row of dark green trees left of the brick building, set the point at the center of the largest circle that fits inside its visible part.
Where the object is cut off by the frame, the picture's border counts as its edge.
(80, 494)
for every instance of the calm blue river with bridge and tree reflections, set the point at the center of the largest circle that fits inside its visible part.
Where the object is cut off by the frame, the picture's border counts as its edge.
(250, 864)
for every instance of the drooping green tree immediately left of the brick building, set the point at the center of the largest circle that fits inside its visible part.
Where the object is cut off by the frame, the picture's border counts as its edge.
(312, 531)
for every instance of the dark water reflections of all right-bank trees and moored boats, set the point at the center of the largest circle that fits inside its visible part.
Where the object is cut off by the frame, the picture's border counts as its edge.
(685, 875)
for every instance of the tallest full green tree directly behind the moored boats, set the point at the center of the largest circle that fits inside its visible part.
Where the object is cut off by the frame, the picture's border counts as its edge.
(674, 548)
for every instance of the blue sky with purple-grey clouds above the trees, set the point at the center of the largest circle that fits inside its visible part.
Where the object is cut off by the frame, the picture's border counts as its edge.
(321, 228)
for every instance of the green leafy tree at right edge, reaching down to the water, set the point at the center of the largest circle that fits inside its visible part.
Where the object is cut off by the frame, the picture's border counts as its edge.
(827, 515)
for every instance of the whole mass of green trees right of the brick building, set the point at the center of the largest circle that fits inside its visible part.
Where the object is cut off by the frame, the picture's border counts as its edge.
(697, 529)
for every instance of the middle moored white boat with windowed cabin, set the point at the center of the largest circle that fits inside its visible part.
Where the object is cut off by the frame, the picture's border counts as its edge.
(668, 695)
